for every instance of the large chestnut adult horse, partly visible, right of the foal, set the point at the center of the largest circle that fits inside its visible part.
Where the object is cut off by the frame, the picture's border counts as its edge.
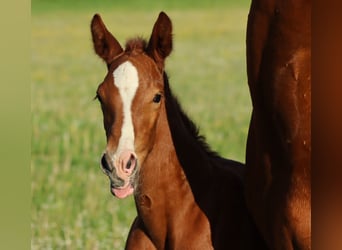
(278, 157)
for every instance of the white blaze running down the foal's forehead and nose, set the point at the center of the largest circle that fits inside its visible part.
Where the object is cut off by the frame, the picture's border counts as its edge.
(126, 80)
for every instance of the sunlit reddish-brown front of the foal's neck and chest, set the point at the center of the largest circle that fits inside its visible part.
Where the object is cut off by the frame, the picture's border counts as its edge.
(165, 200)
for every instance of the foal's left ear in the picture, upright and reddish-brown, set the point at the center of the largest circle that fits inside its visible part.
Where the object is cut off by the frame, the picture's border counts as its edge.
(105, 44)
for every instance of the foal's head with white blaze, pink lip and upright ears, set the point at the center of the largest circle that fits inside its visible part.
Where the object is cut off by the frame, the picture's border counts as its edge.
(131, 96)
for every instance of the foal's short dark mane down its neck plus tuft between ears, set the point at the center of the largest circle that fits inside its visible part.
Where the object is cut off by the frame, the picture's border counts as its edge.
(139, 45)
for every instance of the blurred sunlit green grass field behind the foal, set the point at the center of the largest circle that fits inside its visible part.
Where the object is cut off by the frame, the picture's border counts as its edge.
(72, 207)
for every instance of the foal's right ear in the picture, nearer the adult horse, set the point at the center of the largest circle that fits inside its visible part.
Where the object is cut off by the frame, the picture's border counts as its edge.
(160, 44)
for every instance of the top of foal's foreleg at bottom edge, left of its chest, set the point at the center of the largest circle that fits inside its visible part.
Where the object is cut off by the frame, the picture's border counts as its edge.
(137, 237)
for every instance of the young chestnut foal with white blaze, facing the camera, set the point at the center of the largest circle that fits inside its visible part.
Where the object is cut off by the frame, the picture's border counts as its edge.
(187, 197)
